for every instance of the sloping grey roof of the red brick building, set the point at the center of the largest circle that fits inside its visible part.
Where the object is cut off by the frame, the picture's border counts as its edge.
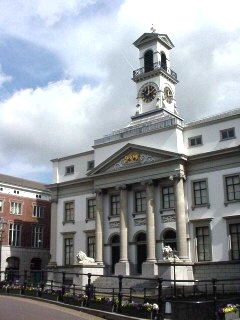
(19, 182)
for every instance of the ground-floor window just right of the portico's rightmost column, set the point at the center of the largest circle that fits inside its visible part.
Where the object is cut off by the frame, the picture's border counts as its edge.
(203, 243)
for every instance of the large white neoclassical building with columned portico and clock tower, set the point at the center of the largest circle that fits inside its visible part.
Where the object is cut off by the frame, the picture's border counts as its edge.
(156, 182)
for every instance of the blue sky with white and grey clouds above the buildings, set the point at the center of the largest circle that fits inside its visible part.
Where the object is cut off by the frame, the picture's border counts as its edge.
(66, 69)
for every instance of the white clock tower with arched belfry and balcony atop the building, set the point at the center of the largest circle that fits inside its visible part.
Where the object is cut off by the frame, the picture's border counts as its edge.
(154, 79)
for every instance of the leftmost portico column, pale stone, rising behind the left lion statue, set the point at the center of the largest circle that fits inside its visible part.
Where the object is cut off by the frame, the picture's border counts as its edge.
(99, 228)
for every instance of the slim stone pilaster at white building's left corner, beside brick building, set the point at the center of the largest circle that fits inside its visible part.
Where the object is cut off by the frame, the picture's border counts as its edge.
(53, 235)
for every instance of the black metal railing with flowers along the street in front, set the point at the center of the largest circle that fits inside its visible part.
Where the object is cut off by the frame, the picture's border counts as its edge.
(186, 299)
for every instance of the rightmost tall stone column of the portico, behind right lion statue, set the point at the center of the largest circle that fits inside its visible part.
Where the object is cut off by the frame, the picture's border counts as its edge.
(180, 218)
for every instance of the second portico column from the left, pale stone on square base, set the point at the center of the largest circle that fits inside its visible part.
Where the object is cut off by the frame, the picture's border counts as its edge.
(122, 267)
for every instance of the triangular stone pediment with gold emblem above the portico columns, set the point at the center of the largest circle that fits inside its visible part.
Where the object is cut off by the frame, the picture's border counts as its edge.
(133, 156)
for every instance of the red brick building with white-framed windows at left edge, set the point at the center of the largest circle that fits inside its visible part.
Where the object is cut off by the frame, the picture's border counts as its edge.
(25, 206)
